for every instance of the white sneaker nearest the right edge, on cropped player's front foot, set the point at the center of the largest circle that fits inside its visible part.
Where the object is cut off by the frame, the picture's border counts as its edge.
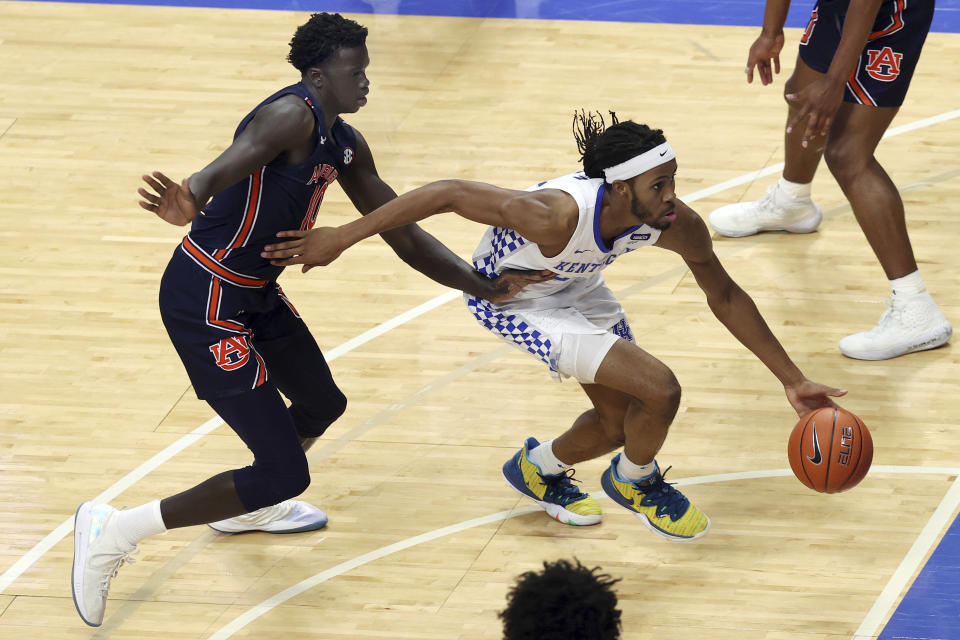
(910, 323)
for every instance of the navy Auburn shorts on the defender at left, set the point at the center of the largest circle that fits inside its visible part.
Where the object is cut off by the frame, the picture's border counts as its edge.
(216, 326)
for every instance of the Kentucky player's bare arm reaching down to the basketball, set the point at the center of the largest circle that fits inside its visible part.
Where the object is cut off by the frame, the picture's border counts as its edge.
(689, 238)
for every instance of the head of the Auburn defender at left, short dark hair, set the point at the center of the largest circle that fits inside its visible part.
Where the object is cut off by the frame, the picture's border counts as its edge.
(330, 52)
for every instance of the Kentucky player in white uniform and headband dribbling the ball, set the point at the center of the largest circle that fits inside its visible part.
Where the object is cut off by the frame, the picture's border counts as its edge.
(576, 226)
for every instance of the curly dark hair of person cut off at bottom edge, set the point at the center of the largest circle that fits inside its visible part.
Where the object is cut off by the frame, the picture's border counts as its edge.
(564, 601)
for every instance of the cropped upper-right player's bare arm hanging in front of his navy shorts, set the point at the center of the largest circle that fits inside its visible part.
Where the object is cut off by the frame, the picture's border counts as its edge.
(818, 102)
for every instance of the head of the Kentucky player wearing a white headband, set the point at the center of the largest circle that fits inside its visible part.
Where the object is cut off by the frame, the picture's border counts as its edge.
(637, 163)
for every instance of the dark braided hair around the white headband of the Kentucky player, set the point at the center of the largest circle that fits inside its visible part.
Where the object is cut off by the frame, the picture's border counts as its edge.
(602, 147)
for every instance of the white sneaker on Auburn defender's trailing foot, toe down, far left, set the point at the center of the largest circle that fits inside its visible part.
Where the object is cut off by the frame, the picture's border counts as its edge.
(98, 552)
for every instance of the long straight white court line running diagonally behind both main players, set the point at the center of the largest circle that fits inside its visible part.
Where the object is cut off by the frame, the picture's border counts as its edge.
(28, 559)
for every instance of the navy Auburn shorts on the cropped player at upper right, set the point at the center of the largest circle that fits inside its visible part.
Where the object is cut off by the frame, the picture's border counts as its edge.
(886, 65)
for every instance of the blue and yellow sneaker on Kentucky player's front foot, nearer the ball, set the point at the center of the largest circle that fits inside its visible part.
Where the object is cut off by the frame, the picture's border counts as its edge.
(664, 510)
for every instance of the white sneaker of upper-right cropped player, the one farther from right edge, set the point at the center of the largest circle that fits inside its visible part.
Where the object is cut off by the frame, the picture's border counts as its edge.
(773, 212)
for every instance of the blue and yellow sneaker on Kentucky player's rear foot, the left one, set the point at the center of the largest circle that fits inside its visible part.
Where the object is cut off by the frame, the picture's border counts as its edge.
(557, 494)
